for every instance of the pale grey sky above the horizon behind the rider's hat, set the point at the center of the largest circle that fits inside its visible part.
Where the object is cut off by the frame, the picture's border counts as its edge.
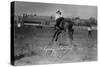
(48, 9)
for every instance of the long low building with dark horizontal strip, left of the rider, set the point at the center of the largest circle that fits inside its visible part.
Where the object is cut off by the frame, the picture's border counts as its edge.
(39, 20)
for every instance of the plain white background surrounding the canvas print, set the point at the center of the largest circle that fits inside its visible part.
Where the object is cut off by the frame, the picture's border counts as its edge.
(5, 32)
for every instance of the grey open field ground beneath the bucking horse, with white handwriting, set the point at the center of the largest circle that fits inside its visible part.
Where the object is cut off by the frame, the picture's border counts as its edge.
(35, 46)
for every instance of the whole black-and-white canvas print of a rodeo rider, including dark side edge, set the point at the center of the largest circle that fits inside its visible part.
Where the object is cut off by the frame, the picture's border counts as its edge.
(51, 33)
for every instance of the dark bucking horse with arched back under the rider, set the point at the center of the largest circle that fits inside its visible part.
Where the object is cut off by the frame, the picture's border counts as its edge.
(63, 25)
